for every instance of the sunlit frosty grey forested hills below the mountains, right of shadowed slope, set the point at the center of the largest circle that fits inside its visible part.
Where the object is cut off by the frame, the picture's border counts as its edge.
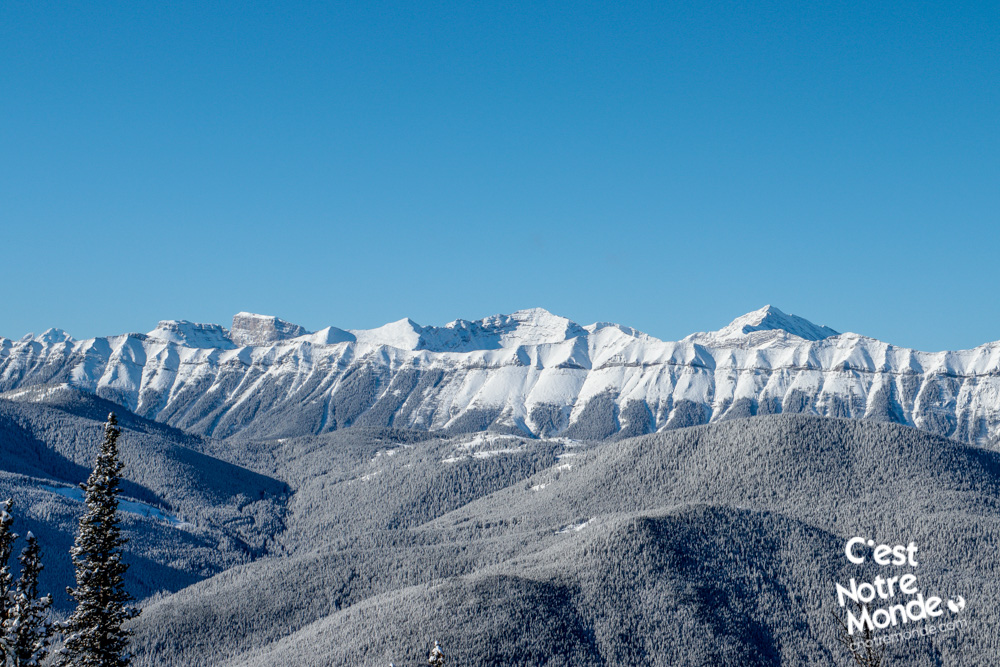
(711, 545)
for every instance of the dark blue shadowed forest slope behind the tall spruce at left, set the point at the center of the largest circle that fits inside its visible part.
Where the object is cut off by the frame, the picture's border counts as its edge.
(187, 515)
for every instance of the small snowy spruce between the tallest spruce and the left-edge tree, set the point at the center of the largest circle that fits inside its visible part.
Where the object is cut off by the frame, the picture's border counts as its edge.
(28, 631)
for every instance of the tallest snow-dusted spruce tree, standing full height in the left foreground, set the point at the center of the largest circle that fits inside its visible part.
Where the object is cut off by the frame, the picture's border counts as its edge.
(94, 633)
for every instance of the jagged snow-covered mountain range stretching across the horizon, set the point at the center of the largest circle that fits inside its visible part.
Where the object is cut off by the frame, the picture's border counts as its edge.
(530, 372)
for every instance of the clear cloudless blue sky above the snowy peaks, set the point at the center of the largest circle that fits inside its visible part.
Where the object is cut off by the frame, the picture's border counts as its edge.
(666, 165)
